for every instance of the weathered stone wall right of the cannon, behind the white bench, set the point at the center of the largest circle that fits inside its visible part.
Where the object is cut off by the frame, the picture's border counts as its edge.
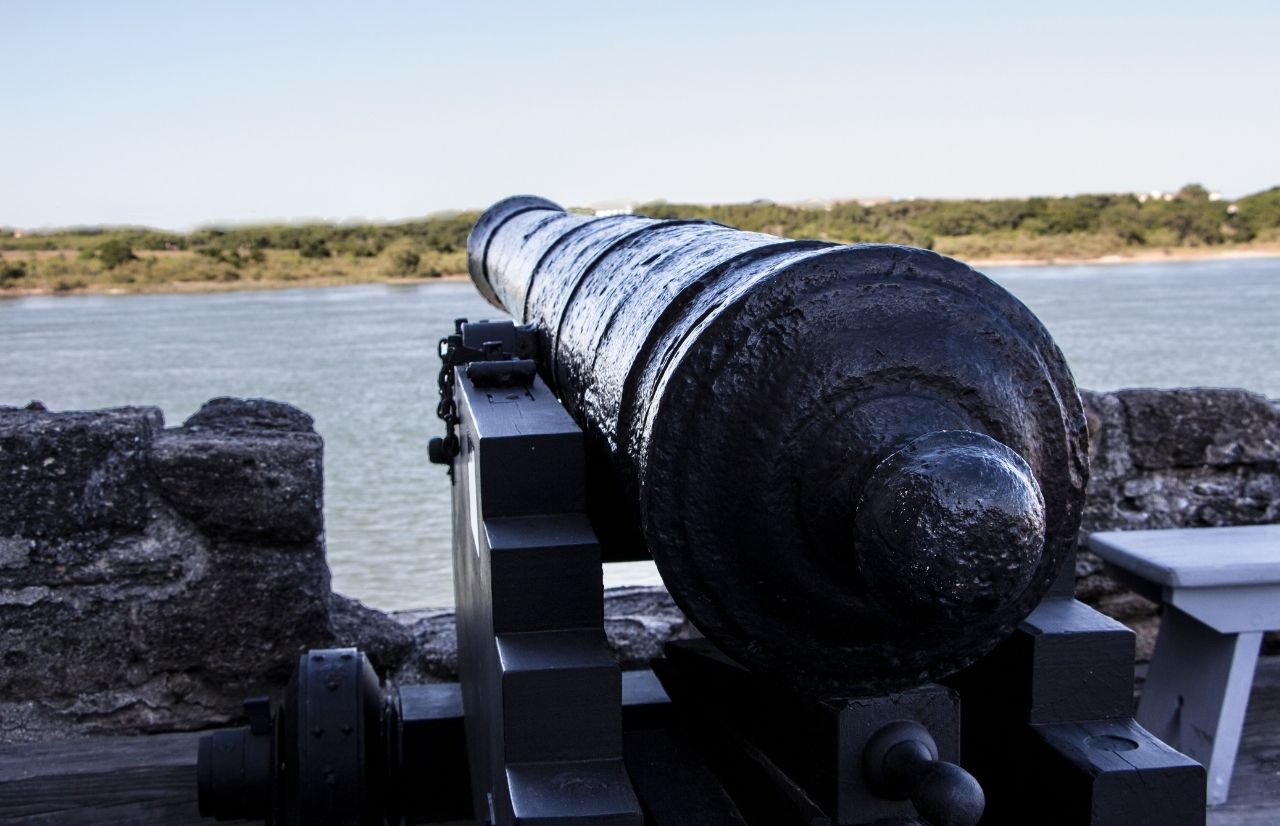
(1196, 458)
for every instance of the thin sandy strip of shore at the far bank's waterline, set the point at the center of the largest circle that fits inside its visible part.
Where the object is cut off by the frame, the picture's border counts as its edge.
(98, 289)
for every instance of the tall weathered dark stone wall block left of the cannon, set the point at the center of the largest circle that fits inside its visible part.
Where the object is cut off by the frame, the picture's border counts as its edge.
(149, 578)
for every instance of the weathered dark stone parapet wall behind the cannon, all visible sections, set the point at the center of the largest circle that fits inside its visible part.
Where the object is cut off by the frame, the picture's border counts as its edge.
(153, 578)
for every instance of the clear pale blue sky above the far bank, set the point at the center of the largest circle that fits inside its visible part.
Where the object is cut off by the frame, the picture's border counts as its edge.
(180, 115)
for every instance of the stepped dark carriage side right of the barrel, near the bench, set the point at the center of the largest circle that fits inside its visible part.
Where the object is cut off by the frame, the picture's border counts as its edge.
(1049, 728)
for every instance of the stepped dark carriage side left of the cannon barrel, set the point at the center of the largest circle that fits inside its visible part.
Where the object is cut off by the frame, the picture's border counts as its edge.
(542, 693)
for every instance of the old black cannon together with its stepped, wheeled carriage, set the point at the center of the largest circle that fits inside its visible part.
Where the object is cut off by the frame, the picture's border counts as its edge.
(860, 471)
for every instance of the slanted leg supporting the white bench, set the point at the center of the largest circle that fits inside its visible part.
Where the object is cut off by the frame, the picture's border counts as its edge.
(1197, 691)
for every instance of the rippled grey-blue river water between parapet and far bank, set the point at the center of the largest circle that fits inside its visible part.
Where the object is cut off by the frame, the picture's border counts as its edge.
(363, 362)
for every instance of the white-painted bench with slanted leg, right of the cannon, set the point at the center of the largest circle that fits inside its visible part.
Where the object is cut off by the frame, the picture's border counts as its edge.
(1222, 590)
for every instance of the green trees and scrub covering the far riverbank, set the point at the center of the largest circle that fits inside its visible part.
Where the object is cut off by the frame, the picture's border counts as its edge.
(1081, 226)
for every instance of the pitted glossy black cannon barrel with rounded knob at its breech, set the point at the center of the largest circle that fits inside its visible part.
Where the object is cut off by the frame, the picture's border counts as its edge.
(856, 467)
